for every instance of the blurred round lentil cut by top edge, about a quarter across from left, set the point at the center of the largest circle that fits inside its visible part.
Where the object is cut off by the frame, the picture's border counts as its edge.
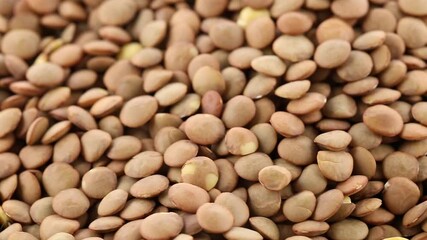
(116, 12)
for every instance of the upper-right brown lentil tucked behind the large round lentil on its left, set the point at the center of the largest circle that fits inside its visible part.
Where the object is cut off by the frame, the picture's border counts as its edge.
(359, 65)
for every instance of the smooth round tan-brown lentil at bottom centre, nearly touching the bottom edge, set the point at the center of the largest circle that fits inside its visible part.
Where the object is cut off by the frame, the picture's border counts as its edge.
(214, 218)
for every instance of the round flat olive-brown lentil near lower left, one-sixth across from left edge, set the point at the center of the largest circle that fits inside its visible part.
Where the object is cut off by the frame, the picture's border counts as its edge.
(70, 203)
